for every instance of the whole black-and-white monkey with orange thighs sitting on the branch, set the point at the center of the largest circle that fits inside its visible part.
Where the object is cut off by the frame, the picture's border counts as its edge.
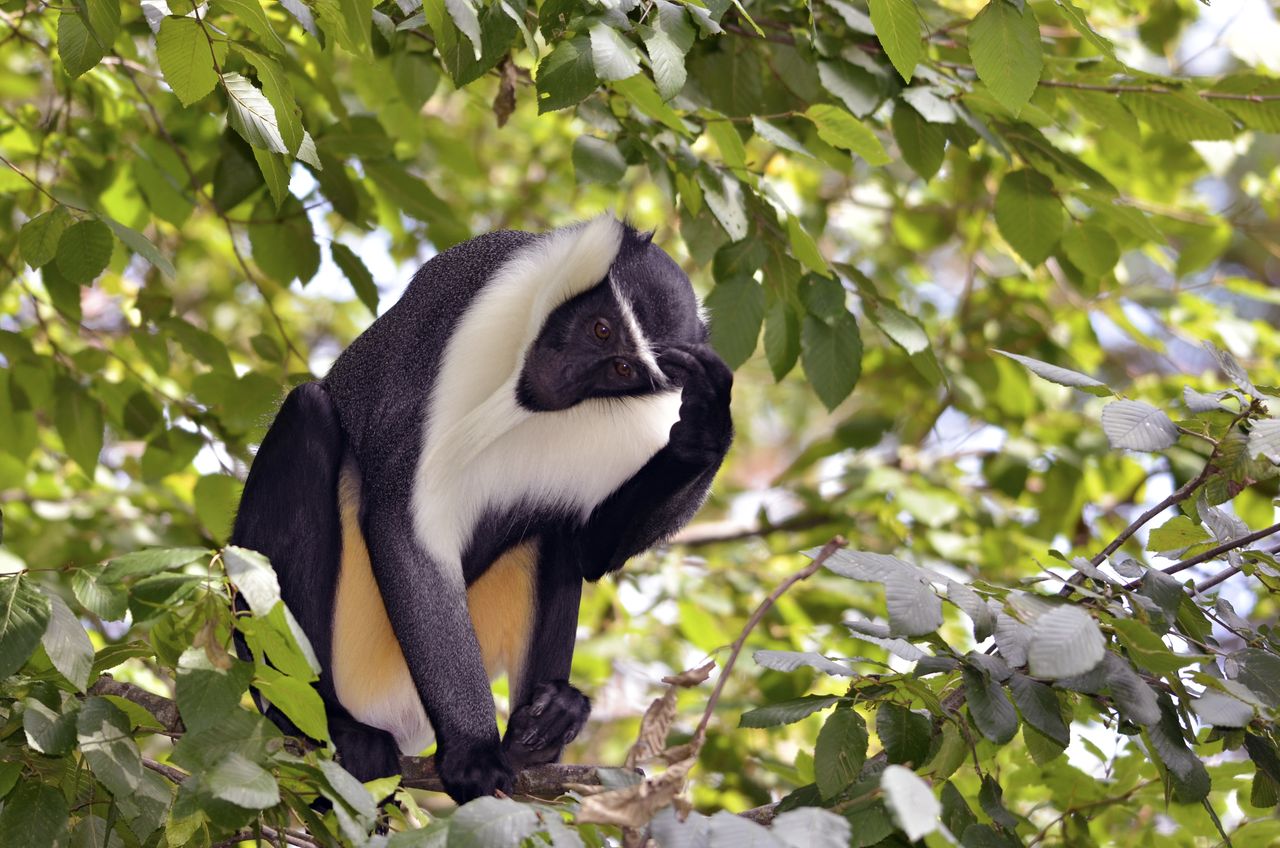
(536, 411)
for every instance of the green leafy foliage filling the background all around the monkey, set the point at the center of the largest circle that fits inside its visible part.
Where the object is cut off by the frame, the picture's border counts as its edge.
(1009, 225)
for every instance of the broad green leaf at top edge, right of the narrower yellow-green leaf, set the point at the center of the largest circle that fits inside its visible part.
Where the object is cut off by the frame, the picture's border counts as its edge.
(1005, 48)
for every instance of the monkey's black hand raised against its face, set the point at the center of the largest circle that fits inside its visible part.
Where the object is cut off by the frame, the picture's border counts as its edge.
(706, 430)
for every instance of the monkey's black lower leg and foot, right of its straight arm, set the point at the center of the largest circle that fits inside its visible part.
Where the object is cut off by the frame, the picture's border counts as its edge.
(547, 712)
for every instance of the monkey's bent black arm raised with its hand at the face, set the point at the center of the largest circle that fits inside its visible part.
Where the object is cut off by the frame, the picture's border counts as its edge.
(669, 490)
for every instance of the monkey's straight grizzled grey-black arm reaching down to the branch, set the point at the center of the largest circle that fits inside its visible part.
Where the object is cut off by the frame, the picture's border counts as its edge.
(428, 610)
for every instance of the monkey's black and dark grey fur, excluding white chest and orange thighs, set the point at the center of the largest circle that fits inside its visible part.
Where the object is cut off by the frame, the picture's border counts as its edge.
(372, 405)
